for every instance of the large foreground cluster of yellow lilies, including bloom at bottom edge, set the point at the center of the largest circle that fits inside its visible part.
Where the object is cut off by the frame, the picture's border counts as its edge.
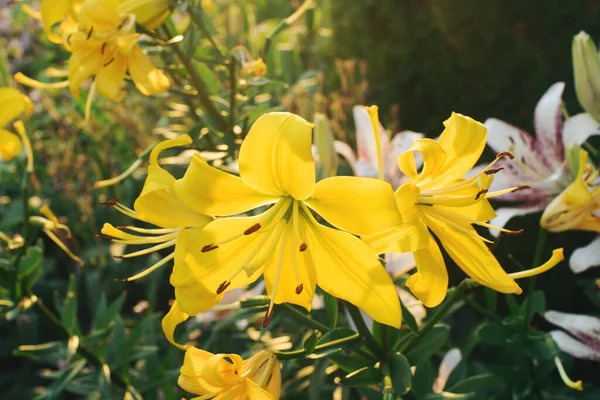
(286, 240)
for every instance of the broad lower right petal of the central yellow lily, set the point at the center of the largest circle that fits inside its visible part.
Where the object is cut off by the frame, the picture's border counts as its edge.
(347, 269)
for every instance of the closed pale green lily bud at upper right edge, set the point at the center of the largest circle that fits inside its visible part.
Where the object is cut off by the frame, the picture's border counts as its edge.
(586, 68)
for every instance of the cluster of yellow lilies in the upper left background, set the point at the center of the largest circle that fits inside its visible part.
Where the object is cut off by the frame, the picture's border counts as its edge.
(103, 42)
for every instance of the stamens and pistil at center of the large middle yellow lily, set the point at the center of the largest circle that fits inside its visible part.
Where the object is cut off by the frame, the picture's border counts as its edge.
(273, 233)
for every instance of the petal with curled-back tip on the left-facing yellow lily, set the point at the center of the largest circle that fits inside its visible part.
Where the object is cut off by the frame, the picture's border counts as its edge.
(158, 203)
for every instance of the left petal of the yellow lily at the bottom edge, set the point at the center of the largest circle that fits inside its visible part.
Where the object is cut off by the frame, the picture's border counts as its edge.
(191, 376)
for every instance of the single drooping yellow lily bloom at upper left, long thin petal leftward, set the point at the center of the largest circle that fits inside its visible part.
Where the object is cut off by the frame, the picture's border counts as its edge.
(105, 46)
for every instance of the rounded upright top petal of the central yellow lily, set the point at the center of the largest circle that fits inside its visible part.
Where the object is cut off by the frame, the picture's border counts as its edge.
(276, 159)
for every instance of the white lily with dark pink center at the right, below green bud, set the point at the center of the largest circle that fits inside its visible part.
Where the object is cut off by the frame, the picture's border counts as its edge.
(540, 161)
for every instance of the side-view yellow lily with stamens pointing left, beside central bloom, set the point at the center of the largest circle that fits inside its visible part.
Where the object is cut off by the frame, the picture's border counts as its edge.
(157, 205)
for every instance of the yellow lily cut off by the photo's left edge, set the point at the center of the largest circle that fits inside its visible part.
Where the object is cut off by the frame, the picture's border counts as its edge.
(13, 104)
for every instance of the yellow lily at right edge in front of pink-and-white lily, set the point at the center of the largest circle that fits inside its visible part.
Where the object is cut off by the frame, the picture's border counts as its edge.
(576, 206)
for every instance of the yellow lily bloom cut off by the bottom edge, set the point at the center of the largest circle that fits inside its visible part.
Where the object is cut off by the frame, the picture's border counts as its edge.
(228, 376)
